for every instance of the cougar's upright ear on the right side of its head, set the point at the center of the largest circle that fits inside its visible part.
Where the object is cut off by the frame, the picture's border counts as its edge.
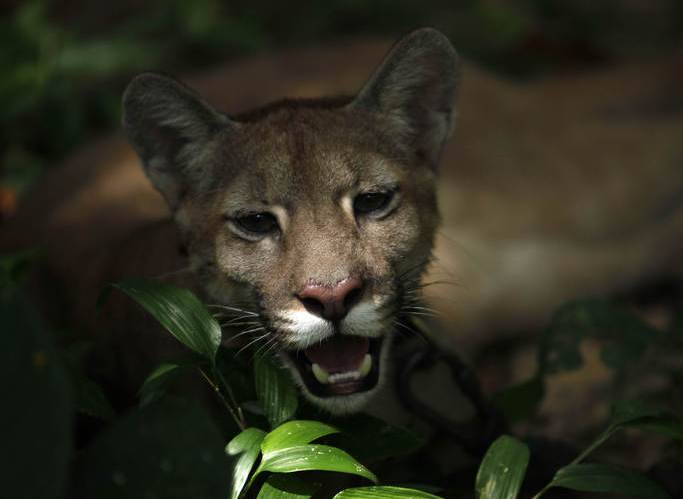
(415, 87)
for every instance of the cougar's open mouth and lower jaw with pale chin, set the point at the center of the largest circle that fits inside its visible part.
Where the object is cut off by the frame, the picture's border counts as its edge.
(342, 373)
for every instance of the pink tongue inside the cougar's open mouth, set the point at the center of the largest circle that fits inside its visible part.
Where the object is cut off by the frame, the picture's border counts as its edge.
(339, 354)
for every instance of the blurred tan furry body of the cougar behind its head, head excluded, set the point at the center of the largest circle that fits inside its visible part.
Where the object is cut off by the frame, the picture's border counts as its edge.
(567, 186)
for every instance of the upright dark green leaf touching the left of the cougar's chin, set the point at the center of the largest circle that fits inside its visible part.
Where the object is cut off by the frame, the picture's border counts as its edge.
(275, 391)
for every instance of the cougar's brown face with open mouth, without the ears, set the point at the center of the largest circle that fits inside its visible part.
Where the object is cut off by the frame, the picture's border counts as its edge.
(319, 228)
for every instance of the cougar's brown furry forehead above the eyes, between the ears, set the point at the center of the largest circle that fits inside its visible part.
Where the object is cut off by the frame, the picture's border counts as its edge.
(302, 156)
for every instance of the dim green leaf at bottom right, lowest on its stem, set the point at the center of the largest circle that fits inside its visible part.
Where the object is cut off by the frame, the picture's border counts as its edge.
(607, 478)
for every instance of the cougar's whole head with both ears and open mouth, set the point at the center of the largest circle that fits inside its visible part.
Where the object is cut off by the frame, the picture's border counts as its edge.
(316, 218)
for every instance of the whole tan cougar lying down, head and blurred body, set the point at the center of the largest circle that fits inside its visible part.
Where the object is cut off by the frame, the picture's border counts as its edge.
(313, 222)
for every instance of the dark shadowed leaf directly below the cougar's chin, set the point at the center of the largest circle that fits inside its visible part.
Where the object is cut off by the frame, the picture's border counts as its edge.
(370, 439)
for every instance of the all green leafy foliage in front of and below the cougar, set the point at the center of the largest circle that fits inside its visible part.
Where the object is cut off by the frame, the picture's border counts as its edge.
(170, 447)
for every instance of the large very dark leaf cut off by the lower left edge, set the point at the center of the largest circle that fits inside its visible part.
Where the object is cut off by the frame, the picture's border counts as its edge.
(37, 409)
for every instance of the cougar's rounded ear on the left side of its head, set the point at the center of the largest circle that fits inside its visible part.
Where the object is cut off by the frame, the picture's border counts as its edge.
(170, 127)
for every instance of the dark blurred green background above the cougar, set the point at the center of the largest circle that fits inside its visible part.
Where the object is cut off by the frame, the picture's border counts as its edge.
(65, 63)
